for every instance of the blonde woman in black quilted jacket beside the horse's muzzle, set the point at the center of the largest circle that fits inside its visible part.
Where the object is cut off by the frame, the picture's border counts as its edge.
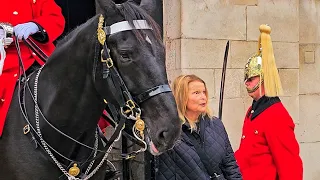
(203, 151)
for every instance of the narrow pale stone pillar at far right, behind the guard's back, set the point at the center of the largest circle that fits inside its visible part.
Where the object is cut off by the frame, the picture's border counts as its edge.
(309, 87)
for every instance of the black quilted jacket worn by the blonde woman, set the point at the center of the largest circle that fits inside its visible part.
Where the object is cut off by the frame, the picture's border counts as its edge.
(183, 161)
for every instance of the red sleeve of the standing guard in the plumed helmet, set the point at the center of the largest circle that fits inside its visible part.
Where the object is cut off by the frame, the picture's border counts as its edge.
(285, 149)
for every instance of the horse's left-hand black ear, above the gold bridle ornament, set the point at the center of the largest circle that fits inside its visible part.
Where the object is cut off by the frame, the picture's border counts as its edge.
(106, 7)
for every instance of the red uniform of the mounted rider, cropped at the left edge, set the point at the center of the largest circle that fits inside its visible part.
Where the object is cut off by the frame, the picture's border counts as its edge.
(45, 13)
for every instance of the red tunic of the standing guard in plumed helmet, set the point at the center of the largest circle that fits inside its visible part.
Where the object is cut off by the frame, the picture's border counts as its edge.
(269, 149)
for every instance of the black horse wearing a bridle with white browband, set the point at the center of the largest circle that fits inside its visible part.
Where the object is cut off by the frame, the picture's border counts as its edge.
(52, 121)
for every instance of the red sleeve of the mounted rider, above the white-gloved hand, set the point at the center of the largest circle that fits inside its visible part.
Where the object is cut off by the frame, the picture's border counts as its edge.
(49, 16)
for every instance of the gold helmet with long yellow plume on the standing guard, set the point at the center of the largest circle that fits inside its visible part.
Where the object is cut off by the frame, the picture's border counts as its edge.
(263, 64)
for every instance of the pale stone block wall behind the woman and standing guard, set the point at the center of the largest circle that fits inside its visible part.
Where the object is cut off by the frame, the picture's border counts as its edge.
(196, 32)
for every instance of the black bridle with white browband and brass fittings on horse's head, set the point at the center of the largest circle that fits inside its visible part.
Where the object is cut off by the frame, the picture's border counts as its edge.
(129, 106)
